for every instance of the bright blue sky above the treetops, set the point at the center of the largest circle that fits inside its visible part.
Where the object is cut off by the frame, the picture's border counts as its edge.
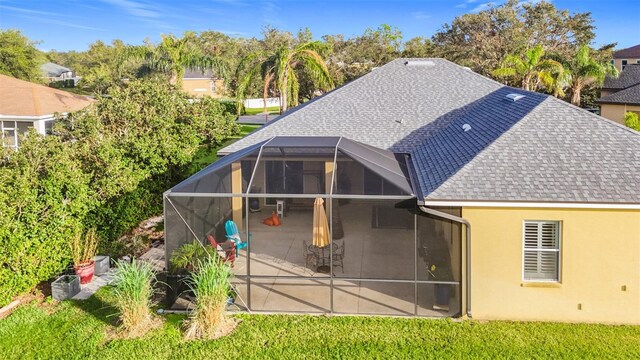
(74, 24)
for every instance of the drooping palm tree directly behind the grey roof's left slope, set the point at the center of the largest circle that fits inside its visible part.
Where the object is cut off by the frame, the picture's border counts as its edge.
(281, 69)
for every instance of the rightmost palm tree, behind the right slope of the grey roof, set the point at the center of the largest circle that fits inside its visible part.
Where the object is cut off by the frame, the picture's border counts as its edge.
(583, 70)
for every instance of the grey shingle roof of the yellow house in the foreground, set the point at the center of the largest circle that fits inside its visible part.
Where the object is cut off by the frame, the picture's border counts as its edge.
(537, 148)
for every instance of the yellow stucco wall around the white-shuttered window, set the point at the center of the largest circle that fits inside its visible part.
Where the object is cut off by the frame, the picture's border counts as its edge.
(600, 255)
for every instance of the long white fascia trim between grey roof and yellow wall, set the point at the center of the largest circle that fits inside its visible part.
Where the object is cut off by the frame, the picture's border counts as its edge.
(516, 204)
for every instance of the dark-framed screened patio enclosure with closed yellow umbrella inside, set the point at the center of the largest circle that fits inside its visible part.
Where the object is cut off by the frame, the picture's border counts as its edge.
(379, 255)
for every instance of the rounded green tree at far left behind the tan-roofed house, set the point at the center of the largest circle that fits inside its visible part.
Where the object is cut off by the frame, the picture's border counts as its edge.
(19, 57)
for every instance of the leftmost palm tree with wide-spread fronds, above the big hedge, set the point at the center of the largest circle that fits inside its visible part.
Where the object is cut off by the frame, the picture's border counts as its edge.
(172, 55)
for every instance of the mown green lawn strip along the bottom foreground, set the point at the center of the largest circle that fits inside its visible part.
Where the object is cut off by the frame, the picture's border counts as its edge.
(77, 330)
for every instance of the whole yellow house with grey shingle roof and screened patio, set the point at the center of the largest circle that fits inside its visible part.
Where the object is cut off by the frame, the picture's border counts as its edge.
(447, 193)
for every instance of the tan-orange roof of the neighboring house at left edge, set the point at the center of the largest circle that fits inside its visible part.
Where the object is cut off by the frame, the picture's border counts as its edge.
(23, 98)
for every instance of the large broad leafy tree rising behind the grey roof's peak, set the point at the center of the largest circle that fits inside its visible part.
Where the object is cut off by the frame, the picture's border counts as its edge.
(480, 41)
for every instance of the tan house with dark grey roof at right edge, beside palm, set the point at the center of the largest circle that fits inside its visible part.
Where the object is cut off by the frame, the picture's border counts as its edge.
(621, 95)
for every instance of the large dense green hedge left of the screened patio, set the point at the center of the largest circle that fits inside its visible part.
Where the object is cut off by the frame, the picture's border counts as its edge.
(104, 167)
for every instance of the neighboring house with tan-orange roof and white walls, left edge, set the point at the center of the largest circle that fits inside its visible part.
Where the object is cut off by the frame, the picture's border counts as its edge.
(24, 105)
